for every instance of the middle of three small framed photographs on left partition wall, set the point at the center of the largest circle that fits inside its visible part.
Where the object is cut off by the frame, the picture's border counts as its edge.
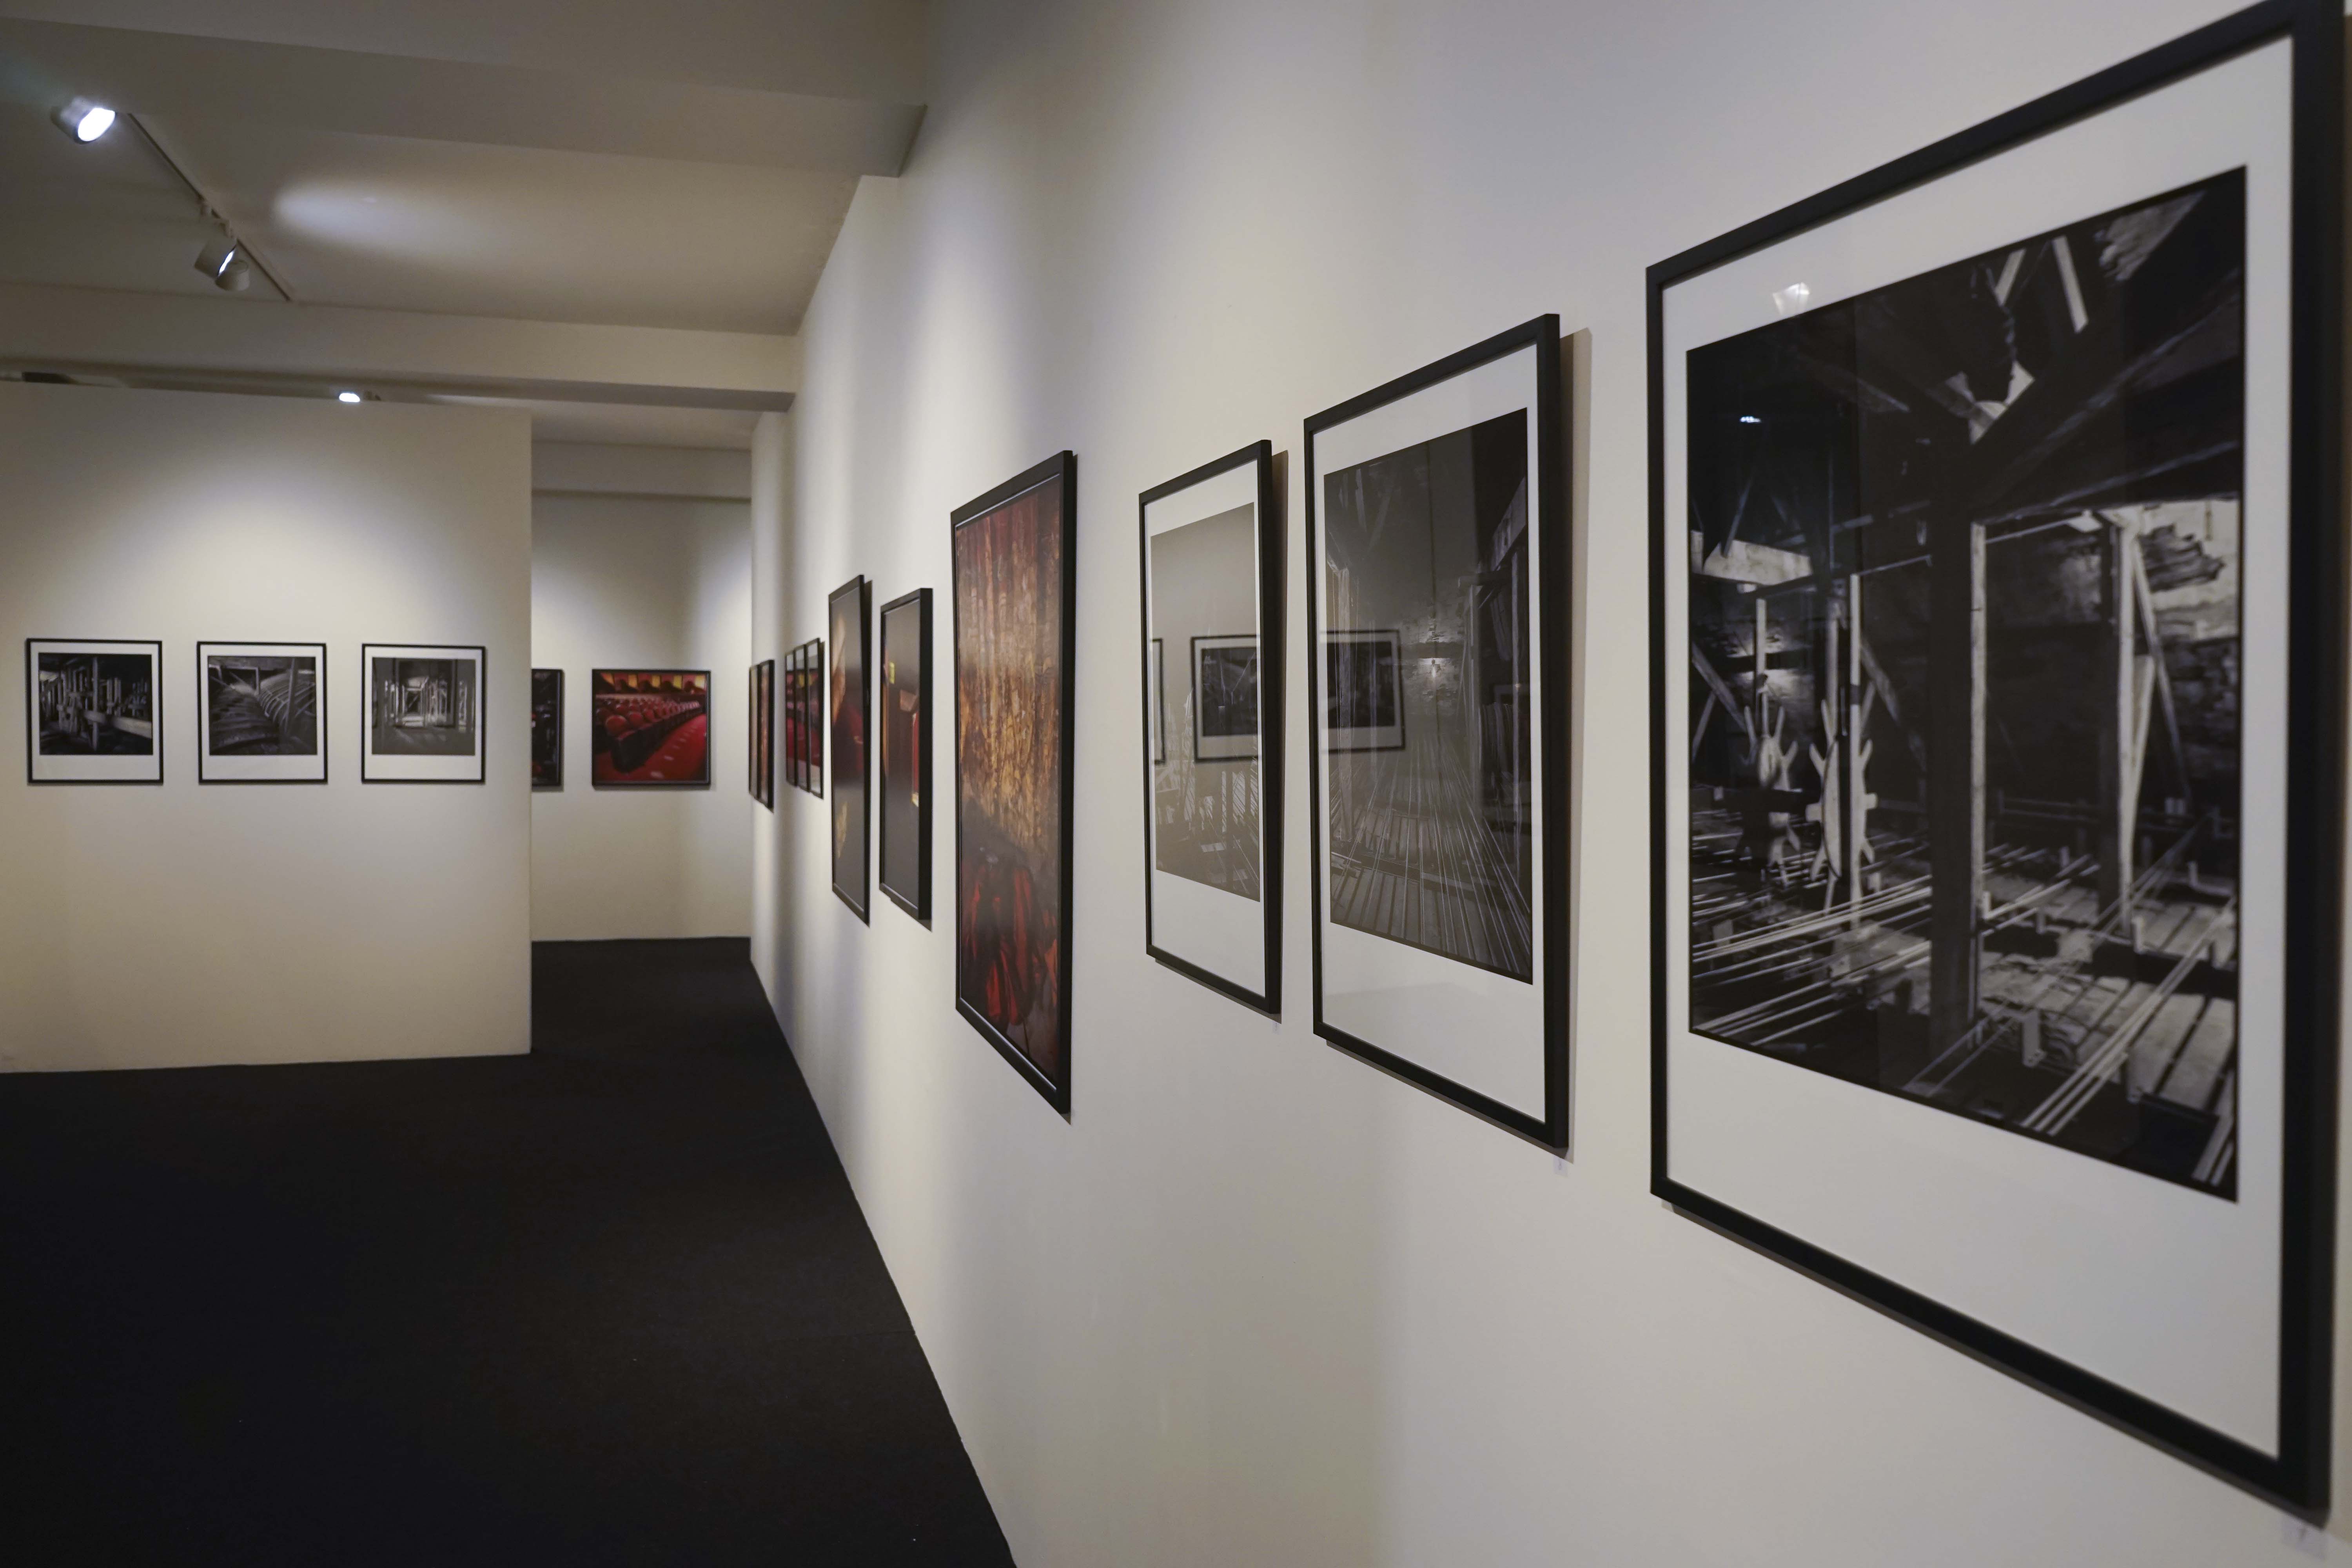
(262, 713)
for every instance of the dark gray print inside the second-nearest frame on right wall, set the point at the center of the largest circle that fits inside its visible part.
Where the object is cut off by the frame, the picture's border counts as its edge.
(1429, 718)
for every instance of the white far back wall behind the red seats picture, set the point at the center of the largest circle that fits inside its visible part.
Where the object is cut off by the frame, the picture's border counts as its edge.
(636, 582)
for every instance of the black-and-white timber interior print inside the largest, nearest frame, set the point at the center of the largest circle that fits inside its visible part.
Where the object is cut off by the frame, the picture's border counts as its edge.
(1965, 685)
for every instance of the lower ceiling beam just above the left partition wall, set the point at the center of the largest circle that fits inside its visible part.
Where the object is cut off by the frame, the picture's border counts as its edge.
(154, 337)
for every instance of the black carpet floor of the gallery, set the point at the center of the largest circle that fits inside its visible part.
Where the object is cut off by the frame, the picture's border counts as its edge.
(608, 1304)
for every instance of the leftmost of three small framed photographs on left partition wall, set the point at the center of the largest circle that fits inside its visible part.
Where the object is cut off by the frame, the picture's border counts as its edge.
(93, 711)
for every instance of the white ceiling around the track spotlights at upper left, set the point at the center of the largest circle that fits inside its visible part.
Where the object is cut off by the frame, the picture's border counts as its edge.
(679, 166)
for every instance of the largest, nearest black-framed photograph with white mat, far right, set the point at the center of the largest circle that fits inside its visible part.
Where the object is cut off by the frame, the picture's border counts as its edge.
(1998, 758)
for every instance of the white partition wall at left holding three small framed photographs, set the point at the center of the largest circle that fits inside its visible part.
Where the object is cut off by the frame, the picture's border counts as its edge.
(189, 925)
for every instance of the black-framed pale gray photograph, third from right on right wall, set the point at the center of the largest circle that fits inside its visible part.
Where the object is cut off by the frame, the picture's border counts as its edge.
(1212, 549)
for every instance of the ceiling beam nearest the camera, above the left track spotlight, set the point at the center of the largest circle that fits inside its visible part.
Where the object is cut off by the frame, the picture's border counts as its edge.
(180, 76)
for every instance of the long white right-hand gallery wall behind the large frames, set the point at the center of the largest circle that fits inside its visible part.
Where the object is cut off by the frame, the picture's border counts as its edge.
(1257, 1304)
